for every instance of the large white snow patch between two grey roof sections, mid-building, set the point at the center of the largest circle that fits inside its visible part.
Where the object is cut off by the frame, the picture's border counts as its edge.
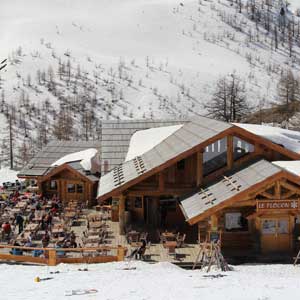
(144, 140)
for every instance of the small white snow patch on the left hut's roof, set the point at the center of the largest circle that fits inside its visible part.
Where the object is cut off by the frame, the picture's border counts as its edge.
(85, 157)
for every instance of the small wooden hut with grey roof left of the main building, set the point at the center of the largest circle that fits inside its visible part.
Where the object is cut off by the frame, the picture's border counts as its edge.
(69, 181)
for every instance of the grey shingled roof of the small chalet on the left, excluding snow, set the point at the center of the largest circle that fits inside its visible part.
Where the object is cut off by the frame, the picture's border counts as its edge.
(40, 164)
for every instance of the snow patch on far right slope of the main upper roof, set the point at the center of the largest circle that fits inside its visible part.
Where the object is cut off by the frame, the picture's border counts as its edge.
(289, 139)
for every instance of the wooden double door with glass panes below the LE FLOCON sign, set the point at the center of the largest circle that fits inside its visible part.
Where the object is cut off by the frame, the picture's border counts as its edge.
(275, 235)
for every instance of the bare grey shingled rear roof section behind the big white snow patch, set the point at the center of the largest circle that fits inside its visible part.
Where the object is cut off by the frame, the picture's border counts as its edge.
(116, 135)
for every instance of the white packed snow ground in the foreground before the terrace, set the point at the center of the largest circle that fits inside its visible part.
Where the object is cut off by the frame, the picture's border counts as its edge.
(150, 281)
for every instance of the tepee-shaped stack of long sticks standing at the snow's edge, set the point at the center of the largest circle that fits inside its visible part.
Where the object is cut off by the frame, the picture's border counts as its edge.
(209, 255)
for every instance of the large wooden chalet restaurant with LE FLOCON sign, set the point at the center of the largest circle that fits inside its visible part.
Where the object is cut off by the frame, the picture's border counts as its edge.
(214, 180)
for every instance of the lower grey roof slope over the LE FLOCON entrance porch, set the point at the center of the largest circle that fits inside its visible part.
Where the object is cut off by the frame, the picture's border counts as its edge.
(228, 187)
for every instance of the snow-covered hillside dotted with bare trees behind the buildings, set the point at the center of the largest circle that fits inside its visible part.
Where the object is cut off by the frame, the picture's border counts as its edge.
(102, 59)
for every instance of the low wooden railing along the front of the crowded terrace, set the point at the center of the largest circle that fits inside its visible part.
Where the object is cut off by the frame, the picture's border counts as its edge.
(54, 256)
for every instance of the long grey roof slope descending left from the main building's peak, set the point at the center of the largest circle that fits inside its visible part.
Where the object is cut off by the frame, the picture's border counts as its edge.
(193, 133)
